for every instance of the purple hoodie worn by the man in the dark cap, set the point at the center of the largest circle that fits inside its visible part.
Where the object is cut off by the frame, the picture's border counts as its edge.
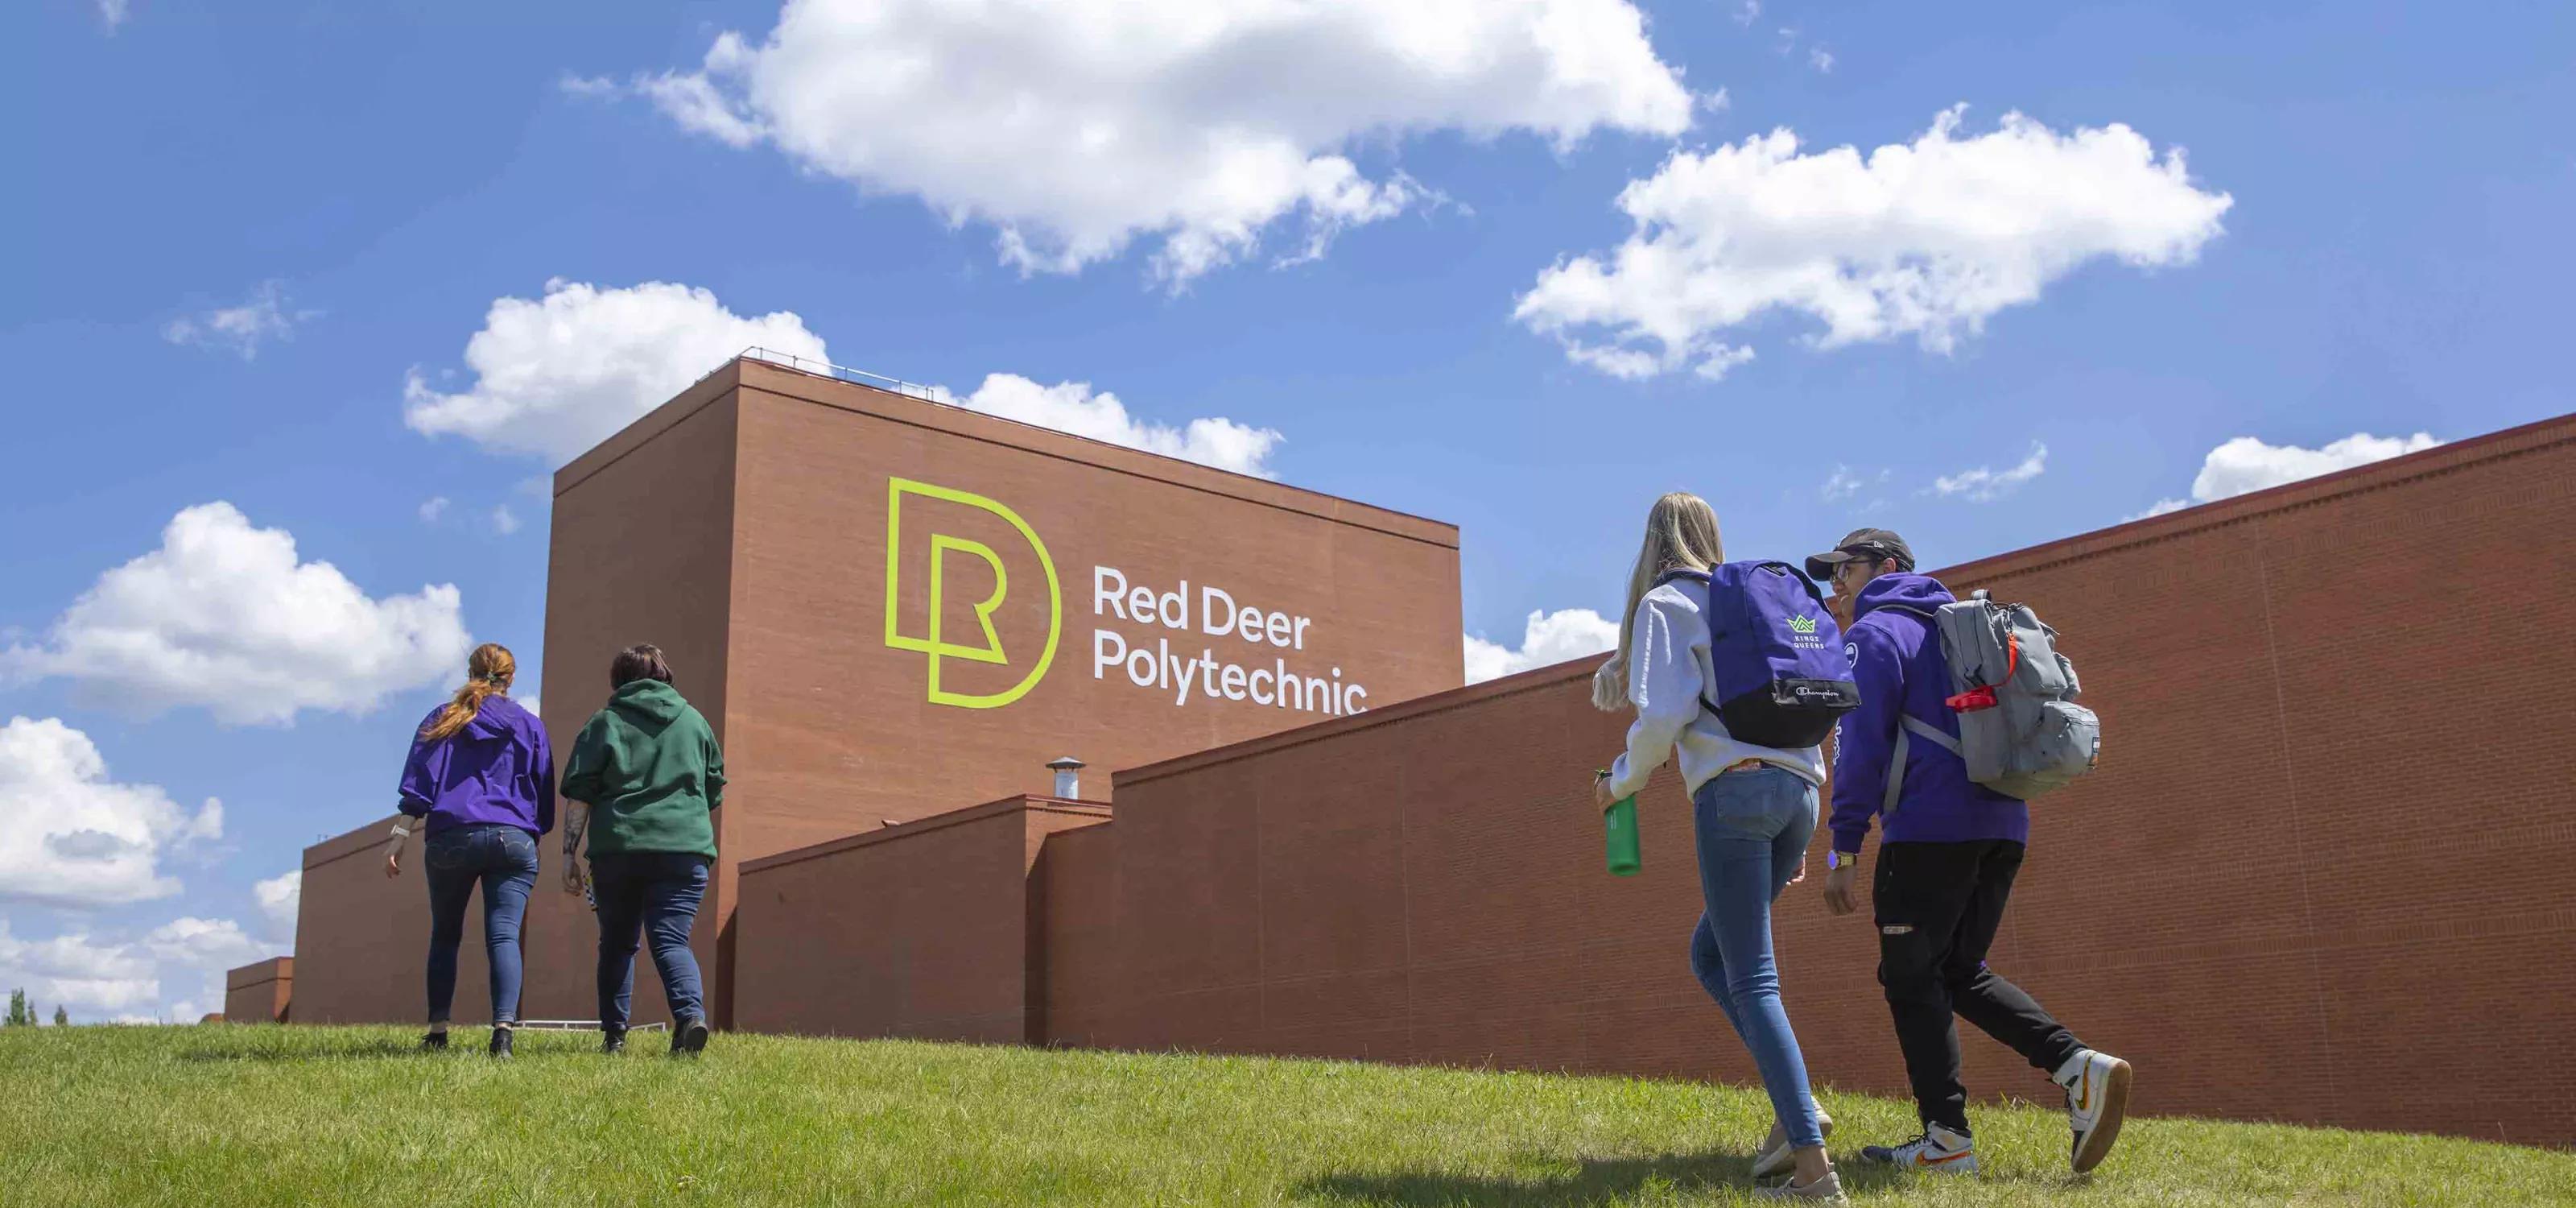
(1900, 668)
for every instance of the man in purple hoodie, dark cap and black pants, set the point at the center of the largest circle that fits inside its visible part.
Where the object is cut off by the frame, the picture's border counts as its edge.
(1946, 862)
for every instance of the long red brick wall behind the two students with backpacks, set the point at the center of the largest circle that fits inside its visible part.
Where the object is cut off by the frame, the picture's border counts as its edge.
(2325, 869)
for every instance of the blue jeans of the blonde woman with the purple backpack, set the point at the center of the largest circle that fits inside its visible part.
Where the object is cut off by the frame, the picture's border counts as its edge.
(1753, 833)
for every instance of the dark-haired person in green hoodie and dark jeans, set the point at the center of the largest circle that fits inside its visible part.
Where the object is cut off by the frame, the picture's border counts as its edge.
(640, 782)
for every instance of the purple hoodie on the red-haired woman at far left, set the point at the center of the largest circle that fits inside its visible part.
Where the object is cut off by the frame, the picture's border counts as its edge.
(498, 769)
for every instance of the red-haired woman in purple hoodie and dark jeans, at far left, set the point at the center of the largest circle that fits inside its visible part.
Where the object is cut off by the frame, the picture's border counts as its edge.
(483, 777)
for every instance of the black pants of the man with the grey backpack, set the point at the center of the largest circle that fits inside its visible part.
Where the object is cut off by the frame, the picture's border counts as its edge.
(1938, 908)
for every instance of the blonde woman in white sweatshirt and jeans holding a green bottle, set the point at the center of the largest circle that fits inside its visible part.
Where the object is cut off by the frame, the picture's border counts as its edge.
(1753, 810)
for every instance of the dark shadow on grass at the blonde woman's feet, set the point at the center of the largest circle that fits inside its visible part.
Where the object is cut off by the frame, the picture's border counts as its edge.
(1598, 1181)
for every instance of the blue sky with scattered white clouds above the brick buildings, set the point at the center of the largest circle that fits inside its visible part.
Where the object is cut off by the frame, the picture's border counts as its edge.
(238, 233)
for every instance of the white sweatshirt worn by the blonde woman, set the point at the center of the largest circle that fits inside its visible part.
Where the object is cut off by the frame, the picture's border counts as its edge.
(1668, 671)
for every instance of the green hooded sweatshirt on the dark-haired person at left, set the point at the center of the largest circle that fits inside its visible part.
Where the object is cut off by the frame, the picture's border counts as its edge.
(650, 771)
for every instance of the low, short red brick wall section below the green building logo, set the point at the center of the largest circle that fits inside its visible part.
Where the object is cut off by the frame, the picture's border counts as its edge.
(905, 931)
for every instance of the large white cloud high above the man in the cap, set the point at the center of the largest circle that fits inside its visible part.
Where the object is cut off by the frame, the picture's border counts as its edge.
(1926, 238)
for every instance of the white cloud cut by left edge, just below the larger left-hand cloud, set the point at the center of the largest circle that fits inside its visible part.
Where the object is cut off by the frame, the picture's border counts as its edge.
(76, 838)
